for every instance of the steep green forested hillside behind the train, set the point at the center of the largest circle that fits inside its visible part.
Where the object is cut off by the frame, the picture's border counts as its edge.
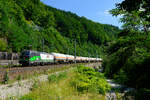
(27, 24)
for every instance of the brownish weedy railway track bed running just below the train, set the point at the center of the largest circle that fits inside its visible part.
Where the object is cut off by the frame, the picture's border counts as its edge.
(14, 72)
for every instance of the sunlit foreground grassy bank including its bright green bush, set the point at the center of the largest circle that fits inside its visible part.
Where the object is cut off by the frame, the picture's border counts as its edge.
(70, 86)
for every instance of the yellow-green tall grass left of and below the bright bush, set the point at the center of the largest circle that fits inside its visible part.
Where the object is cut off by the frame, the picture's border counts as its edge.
(58, 88)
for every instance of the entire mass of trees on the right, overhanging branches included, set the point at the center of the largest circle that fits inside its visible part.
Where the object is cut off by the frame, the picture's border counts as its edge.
(128, 60)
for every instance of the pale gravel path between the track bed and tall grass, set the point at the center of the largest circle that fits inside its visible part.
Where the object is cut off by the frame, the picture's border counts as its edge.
(21, 88)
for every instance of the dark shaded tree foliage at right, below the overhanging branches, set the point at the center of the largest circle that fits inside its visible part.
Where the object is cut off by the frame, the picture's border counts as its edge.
(128, 60)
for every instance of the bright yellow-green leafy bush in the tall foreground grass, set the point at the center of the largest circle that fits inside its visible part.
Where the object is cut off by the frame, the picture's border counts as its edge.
(87, 79)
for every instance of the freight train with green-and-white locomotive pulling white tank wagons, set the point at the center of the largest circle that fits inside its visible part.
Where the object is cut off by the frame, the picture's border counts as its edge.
(30, 57)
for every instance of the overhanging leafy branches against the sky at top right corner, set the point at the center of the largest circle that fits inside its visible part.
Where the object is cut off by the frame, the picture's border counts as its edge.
(135, 14)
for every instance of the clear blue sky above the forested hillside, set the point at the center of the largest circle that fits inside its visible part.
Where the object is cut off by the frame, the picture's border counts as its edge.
(96, 10)
